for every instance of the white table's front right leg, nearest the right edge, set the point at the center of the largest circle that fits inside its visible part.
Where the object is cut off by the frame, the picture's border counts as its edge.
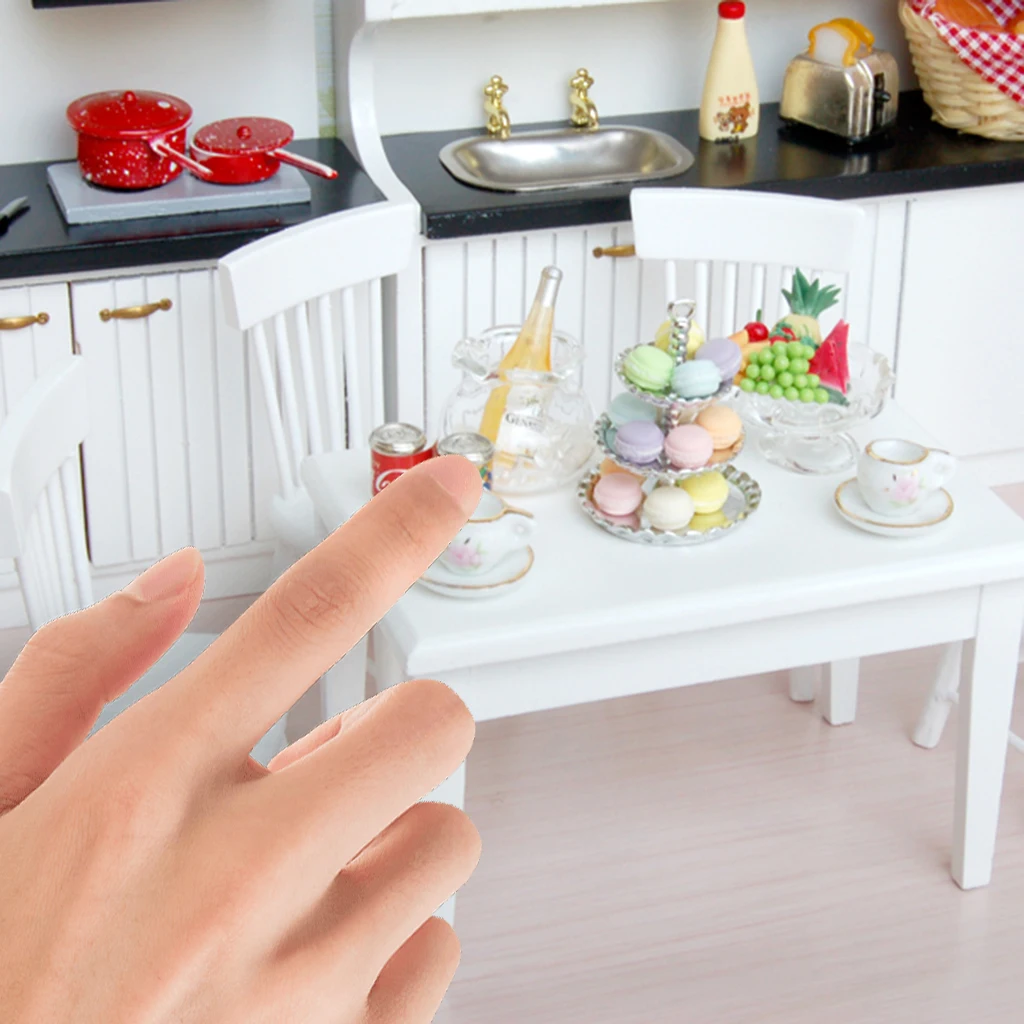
(987, 704)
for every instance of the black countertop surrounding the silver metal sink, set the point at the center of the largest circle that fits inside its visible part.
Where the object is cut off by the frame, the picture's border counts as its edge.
(920, 157)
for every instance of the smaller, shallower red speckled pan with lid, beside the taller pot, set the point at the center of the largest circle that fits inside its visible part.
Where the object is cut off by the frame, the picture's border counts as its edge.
(241, 151)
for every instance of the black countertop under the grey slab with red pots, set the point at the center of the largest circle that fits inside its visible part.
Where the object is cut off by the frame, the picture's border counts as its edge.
(39, 243)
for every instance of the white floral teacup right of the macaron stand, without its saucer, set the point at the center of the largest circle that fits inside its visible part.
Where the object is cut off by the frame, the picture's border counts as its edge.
(897, 478)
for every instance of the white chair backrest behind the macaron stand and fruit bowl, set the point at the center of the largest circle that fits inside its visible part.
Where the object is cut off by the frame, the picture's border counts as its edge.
(744, 247)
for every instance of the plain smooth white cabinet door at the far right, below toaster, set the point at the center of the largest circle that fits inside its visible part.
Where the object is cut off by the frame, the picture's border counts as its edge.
(959, 357)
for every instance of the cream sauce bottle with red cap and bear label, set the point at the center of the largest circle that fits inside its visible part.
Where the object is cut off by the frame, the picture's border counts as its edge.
(731, 108)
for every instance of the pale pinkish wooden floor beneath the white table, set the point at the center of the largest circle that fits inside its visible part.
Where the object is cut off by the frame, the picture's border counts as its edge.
(719, 856)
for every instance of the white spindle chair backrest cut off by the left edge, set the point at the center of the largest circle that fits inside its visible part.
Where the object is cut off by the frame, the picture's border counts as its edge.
(42, 518)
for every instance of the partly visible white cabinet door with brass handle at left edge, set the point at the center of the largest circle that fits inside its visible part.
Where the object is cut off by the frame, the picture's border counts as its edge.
(28, 351)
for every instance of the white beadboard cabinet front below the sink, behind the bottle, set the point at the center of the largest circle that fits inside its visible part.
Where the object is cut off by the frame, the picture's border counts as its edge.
(613, 304)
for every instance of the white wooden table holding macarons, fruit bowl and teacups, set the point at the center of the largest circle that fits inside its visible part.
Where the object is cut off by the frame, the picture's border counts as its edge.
(795, 586)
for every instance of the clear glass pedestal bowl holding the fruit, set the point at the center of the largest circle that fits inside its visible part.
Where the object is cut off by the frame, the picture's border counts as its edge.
(807, 438)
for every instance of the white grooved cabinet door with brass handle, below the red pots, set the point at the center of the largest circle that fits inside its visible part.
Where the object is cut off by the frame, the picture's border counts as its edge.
(168, 461)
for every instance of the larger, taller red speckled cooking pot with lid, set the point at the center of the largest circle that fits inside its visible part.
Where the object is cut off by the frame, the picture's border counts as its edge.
(133, 140)
